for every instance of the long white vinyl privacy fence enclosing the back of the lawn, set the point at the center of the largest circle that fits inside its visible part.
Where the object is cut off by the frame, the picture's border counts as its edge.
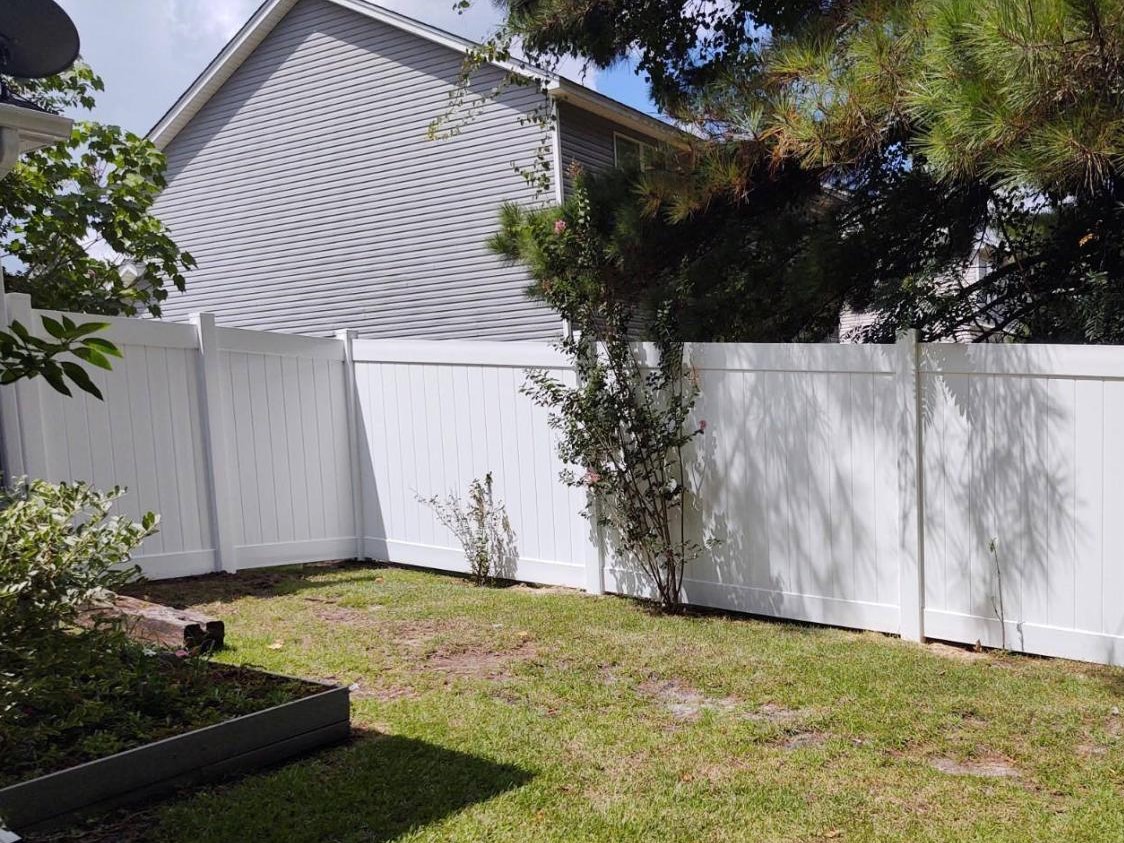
(900, 488)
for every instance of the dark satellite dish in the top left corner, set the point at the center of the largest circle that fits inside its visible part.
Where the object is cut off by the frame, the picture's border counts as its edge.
(38, 39)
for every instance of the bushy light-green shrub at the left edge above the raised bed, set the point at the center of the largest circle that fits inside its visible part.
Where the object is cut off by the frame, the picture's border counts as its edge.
(61, 552)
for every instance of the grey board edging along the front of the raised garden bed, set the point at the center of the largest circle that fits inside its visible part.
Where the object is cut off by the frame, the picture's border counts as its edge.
(237, 746)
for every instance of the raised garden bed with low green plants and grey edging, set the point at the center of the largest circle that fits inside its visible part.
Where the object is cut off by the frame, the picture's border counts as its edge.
(187, 722)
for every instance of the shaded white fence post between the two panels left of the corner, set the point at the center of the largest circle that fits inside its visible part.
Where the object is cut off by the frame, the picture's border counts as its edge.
(213, 412)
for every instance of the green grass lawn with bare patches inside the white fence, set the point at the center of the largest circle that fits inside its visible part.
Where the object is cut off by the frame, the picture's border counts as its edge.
(523, 714)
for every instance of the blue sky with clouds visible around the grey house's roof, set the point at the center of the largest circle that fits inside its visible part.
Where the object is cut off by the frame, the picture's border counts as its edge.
(150, 51)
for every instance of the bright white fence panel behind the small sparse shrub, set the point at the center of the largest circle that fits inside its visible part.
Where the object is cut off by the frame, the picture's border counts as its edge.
(438, 415)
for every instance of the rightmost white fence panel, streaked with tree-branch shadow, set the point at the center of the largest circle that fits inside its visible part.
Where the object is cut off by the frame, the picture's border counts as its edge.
(1023, 543)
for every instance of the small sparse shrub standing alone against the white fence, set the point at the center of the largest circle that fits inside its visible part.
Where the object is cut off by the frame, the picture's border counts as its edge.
(483, 529)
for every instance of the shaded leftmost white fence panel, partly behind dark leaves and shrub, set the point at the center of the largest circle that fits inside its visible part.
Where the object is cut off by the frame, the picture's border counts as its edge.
(146, 437)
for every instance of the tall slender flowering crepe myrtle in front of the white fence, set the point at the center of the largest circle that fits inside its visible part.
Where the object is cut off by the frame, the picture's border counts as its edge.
(626, 424)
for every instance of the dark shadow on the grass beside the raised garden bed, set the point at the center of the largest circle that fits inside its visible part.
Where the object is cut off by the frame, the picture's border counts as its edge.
(378, 788)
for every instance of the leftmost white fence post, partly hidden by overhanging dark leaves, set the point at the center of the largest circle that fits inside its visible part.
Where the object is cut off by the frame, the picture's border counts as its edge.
(25, 443)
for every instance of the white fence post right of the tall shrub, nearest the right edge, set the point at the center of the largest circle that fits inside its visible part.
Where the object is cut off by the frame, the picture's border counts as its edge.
(911, 490)
